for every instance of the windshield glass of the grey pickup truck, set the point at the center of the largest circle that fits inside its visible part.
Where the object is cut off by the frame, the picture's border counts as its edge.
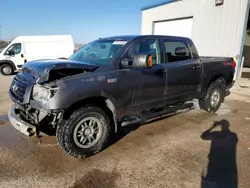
(99, 52)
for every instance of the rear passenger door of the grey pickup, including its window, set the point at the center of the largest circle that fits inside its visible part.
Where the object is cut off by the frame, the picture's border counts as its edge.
(184, 71)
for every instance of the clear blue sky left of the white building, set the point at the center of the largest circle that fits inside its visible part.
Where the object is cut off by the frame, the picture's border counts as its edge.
(85, 20)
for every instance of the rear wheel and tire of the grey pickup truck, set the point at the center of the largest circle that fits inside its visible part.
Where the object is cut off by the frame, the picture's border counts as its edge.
(206, 103)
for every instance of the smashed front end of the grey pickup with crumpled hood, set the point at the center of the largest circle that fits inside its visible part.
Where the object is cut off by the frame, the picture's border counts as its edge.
(33, 88)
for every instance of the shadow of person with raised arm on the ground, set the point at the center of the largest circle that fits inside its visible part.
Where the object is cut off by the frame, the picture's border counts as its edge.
(222, 169)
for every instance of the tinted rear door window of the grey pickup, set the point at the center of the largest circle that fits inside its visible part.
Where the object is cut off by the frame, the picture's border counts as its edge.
(176, 50)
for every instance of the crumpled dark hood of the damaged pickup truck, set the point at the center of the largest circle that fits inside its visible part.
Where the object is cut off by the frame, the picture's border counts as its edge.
(49, 70)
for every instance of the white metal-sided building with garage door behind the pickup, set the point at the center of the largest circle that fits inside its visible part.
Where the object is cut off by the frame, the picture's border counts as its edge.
(217, 27)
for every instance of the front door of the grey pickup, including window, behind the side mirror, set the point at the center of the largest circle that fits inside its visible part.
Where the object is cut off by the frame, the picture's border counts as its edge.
(143, 88)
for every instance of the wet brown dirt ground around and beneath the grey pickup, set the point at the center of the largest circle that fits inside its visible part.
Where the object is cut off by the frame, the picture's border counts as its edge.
(171, 152)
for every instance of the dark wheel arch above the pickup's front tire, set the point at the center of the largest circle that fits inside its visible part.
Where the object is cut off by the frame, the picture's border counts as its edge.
(101, 101)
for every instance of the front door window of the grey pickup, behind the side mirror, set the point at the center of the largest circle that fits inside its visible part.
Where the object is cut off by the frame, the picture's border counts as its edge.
(149, 46)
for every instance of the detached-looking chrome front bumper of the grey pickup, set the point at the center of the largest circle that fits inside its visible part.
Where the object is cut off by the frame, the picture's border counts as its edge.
(19, 124)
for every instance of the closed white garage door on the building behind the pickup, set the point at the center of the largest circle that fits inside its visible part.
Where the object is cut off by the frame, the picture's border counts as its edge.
(183, 28)
